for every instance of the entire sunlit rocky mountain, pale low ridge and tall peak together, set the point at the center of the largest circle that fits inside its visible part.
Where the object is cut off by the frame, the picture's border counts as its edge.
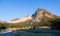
(38, 16)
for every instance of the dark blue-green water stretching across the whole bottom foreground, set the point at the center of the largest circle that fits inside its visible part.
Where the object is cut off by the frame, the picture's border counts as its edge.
(24, 33)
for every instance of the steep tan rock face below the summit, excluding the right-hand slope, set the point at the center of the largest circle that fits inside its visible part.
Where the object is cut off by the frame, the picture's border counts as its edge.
(38, 14)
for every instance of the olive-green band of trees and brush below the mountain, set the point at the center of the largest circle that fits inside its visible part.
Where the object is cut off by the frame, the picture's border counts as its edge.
(46, 22)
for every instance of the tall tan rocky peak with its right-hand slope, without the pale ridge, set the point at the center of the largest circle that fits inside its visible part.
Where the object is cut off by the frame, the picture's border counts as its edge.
(40, 14)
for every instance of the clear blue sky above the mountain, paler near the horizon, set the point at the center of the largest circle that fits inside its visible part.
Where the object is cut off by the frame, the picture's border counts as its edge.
(10, 9)
